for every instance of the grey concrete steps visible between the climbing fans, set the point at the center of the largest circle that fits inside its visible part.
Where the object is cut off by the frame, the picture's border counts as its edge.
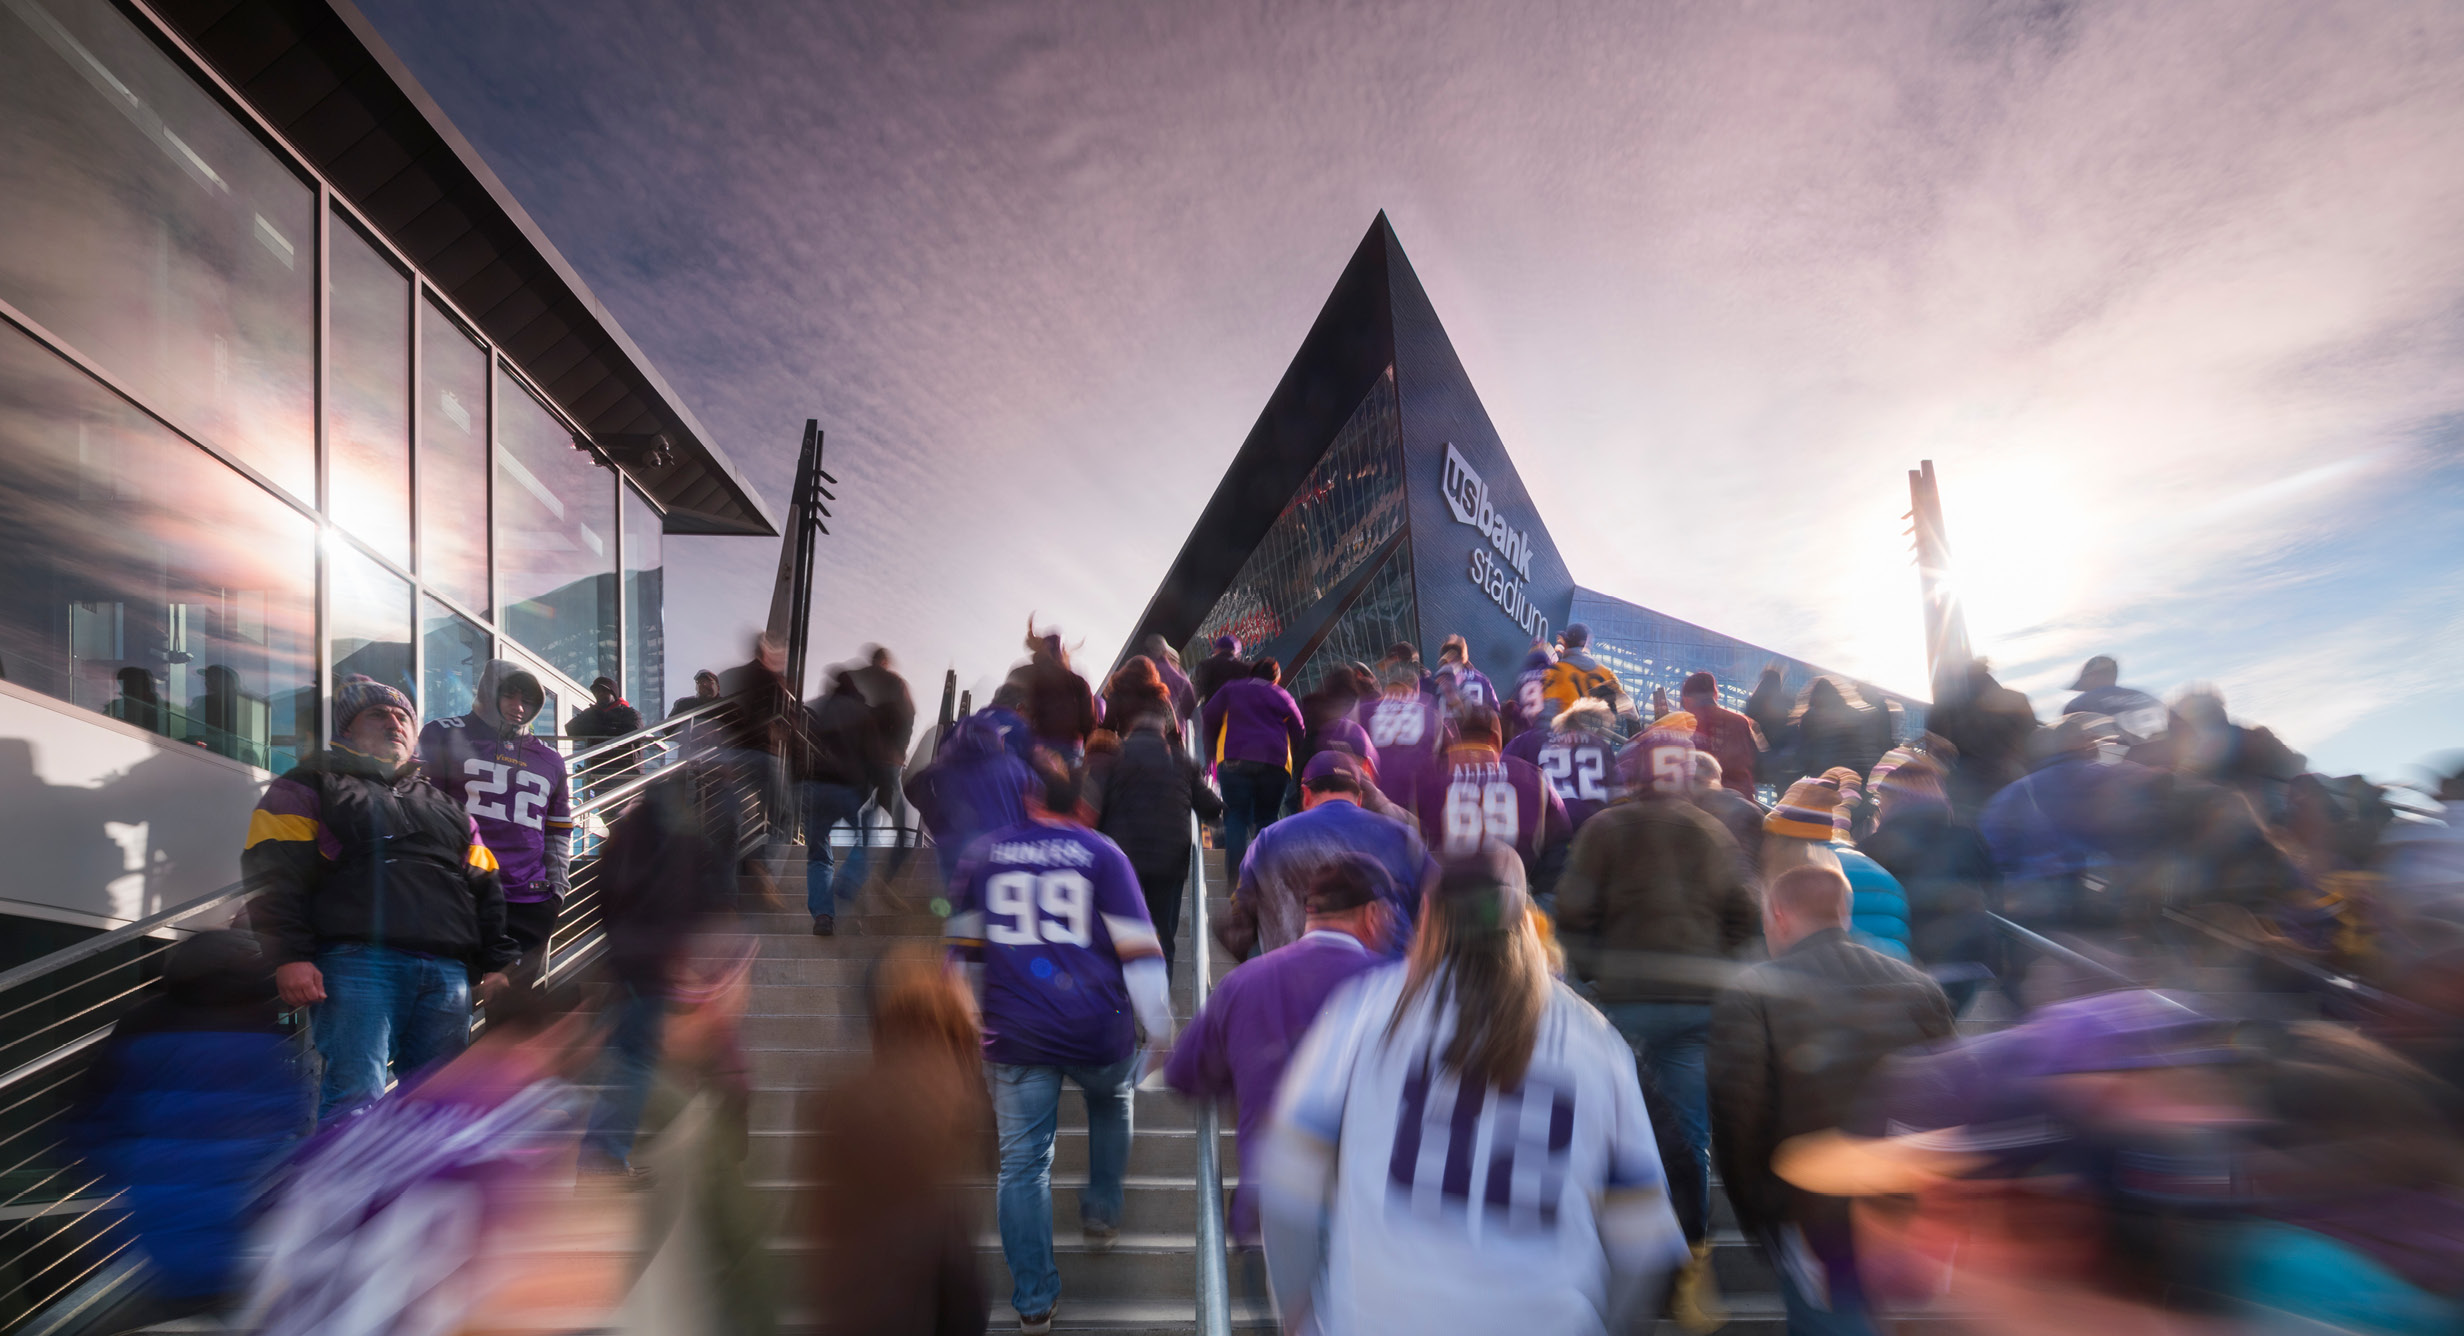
(807, 1014)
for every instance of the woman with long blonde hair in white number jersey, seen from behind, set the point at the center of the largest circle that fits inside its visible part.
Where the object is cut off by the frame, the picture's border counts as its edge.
(1462, 1143)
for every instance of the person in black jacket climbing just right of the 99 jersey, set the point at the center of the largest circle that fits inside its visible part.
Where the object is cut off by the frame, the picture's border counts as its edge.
(1145, 797)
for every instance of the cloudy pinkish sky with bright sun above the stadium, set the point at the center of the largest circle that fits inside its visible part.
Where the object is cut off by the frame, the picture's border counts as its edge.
(2170, 292)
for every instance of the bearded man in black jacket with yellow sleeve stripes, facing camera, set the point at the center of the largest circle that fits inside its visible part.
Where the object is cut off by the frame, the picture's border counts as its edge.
(376, 901)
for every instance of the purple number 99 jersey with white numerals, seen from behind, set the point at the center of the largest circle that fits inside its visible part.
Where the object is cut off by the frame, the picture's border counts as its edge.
(1053, 913)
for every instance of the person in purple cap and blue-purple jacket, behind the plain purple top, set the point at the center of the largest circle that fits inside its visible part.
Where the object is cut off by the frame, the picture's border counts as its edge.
(1270, 901)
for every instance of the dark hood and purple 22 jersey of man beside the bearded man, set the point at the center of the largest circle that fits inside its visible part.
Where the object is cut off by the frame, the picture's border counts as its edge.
(514, 788)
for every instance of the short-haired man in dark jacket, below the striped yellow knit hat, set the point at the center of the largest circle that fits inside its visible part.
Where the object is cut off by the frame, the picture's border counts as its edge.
(1793, 1044)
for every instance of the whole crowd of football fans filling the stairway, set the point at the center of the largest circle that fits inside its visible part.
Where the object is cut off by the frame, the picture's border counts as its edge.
(2022, 1024)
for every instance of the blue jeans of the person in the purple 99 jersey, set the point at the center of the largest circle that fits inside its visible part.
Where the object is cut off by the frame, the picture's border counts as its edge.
(1026, 1106)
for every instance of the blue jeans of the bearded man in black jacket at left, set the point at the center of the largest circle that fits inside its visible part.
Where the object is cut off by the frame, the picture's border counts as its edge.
(386, 1012)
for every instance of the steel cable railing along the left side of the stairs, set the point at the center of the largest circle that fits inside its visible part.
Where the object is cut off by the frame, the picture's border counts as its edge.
(55, 1239)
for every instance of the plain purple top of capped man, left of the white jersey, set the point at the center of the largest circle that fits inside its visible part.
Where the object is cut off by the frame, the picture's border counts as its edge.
(1248, 1034)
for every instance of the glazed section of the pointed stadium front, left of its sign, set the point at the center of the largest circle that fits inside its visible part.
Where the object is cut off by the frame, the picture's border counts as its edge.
(1349, 504)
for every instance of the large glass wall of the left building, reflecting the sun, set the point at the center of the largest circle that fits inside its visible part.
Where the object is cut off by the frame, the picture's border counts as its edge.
(159, 309)
